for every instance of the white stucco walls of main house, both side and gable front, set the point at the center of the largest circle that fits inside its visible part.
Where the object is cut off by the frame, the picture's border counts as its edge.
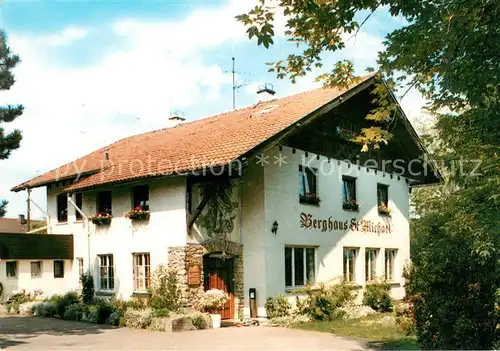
(268, 193)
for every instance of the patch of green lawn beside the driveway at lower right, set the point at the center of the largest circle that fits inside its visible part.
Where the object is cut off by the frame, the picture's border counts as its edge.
(369, 329)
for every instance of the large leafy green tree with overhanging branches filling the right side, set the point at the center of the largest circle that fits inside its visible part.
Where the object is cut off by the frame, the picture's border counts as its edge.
(447, 50)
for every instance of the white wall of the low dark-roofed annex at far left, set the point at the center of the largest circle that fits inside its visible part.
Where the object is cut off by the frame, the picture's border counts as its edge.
(46, 282)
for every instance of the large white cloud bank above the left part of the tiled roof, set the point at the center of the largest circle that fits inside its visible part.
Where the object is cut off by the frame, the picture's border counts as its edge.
(70, 111)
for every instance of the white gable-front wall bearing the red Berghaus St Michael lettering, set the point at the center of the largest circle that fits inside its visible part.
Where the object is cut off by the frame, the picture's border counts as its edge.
(282, 205)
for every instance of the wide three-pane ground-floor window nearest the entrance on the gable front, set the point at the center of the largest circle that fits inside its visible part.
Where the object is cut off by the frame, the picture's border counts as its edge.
(300, 265)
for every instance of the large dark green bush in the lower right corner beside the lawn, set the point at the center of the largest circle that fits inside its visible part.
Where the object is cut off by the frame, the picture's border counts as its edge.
(453, 281)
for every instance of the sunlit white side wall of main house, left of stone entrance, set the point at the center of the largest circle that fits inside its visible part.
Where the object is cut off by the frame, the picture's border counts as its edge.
(166, 228)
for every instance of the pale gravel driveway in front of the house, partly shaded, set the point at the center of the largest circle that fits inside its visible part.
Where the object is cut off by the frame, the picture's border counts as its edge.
(47, 333)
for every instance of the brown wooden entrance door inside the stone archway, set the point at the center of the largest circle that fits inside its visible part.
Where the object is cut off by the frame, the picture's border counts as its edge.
(219, 274)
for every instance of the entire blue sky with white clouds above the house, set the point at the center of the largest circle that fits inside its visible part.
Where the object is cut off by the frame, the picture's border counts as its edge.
(96, 71)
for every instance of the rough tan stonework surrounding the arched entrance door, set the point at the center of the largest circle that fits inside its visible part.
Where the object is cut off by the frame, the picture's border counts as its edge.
(179, 258)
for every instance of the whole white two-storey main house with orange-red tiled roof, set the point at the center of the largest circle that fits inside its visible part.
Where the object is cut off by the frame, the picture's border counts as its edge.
(281, 157)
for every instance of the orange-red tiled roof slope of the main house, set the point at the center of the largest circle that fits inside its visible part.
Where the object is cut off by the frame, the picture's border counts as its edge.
(190, 146)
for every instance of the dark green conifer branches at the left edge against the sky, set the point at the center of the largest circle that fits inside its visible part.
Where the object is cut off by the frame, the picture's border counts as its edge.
(9, 141)
